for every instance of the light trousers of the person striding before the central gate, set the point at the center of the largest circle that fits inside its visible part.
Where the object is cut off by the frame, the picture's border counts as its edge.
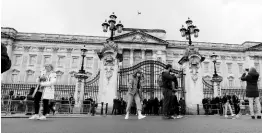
(137, 100)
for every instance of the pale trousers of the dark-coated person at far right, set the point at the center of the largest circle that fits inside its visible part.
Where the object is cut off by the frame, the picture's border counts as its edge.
(257, 104)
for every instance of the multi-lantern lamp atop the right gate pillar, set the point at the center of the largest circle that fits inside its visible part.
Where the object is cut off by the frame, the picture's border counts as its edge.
(191, 29)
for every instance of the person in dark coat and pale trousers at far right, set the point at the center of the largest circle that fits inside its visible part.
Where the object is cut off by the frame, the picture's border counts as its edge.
(251, 77)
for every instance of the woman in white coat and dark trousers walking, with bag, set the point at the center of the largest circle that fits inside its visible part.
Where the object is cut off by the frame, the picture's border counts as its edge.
(44, 92)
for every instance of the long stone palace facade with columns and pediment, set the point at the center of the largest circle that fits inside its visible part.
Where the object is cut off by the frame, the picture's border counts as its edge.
(30, 51)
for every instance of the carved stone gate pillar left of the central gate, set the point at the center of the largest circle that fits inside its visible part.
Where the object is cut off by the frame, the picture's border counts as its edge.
(108, 81)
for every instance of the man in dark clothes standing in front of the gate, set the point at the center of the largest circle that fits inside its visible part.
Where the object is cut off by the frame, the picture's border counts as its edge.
(168, 79)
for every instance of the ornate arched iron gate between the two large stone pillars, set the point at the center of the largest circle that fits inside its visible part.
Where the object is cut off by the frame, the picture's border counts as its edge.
(151, 71)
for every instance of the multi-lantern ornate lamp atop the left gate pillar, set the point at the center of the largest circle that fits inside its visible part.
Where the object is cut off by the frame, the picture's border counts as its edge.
(112, 27)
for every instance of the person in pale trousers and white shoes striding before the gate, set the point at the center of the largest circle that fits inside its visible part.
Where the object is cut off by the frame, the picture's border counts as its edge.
(134, 93)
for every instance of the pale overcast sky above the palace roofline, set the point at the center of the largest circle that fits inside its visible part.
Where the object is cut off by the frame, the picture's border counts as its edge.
(219, 21)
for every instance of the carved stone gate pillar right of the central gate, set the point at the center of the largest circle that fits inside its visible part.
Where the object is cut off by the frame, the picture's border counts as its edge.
(191, 63)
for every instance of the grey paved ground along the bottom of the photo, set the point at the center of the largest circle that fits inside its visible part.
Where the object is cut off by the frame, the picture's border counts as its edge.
(117, 124)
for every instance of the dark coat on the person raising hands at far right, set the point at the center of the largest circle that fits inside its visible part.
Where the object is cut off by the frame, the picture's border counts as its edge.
(251, 89)
